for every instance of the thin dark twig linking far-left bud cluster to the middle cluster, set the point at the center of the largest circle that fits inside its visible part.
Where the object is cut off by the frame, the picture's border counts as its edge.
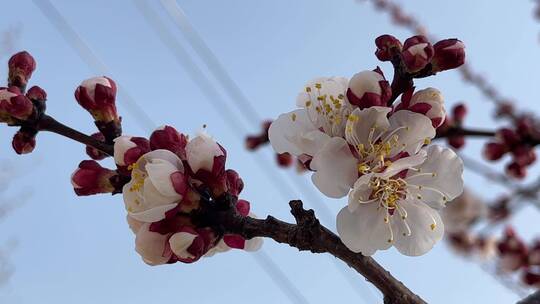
(47, 123)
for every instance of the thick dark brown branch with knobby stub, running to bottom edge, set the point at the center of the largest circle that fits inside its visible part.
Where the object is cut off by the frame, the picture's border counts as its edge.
(309, 235)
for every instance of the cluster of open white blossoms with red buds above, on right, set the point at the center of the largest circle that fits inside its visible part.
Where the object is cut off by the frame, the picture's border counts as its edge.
(360, 145)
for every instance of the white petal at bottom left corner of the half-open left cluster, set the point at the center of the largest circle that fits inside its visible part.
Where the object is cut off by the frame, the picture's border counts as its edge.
(151, 246)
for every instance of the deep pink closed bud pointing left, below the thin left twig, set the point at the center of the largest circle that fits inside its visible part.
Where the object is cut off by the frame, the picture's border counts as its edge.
(91, 178)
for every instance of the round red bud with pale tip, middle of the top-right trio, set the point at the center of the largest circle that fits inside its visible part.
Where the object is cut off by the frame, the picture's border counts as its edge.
(417, 53)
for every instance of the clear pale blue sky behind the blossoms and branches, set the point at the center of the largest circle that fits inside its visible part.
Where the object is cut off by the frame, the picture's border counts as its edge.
(80, 250)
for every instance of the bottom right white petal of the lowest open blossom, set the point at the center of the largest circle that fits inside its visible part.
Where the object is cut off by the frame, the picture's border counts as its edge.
(425, 225)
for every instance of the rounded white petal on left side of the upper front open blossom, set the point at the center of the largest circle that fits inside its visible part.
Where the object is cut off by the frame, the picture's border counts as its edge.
(335, 168)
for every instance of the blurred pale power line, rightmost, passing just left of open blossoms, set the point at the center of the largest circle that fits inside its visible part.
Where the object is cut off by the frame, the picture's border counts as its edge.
(245, 106)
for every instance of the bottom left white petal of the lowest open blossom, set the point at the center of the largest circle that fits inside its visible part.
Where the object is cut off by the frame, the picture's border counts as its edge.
(364, 230)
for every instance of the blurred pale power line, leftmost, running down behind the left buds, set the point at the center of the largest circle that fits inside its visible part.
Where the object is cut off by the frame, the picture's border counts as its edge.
(97, 65)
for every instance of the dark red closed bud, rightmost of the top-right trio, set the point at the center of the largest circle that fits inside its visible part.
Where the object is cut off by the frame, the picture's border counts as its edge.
(449, 54)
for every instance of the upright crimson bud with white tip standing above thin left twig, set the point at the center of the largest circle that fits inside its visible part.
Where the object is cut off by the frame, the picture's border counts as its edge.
(98, 96)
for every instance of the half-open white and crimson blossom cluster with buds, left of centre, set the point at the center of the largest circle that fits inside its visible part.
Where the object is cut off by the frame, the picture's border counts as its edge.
(165, 180)
